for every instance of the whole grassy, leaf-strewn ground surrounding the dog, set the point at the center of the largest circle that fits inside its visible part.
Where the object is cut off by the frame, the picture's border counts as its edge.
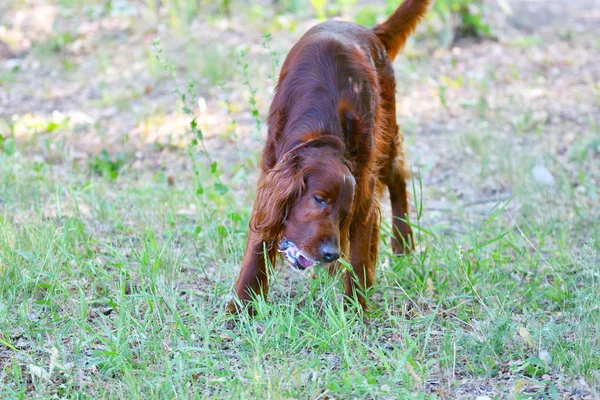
(121, 233)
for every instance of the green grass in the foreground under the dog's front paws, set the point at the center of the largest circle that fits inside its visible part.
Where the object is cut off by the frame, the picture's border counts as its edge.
(115, 288)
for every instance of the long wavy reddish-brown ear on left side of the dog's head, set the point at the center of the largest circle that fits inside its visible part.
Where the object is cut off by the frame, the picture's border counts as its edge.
(277, 190)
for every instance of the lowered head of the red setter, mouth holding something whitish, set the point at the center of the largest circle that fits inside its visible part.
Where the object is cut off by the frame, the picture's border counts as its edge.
(304, 202)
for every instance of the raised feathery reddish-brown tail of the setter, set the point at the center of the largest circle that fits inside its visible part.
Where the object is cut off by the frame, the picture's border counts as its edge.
(400, 25)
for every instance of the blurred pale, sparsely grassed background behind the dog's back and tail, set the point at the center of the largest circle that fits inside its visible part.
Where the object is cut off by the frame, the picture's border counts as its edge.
(490, 93)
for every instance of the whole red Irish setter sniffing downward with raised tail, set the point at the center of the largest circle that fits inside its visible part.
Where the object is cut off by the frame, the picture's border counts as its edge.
(333, 144)
